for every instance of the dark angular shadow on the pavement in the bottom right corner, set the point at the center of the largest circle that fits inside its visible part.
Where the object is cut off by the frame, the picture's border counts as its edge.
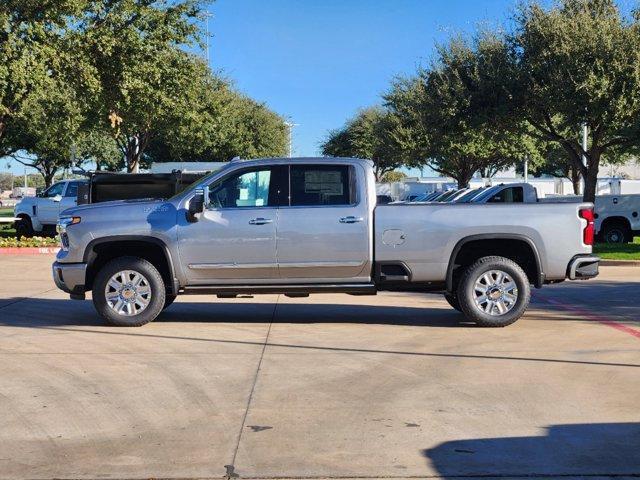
(592, 449)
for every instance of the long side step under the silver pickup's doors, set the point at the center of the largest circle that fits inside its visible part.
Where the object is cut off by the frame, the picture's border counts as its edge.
(294, 290)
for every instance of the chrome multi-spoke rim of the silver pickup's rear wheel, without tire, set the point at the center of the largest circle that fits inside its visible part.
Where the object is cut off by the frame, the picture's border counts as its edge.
(495, 292)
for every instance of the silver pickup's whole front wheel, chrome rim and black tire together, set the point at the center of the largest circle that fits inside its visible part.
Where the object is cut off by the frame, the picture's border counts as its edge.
(129, 292)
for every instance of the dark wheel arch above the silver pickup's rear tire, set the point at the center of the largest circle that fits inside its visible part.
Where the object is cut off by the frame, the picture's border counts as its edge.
(519, 244)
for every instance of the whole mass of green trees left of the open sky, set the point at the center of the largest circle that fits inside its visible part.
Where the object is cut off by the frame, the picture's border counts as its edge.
(114, 82)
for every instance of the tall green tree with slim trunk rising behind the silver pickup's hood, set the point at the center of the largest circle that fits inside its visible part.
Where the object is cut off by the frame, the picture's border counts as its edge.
(144, 77)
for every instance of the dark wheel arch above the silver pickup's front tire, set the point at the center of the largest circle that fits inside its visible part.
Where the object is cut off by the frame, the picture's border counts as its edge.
(100, 250)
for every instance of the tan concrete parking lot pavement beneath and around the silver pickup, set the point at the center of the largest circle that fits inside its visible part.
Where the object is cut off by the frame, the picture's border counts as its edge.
(331, 386)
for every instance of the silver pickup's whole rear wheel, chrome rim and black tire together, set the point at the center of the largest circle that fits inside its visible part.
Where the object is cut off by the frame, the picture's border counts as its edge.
(494, 292)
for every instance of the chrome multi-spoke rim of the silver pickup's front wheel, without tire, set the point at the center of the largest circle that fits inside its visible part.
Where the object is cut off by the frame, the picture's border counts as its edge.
(128, 293)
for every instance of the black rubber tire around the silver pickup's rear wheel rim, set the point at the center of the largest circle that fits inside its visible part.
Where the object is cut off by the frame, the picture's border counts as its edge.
(478, 313)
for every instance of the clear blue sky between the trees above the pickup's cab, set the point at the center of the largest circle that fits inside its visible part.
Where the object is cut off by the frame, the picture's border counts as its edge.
(319, 61)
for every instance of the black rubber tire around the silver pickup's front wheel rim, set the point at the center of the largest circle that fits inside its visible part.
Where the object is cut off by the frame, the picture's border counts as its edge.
(153, 279)
